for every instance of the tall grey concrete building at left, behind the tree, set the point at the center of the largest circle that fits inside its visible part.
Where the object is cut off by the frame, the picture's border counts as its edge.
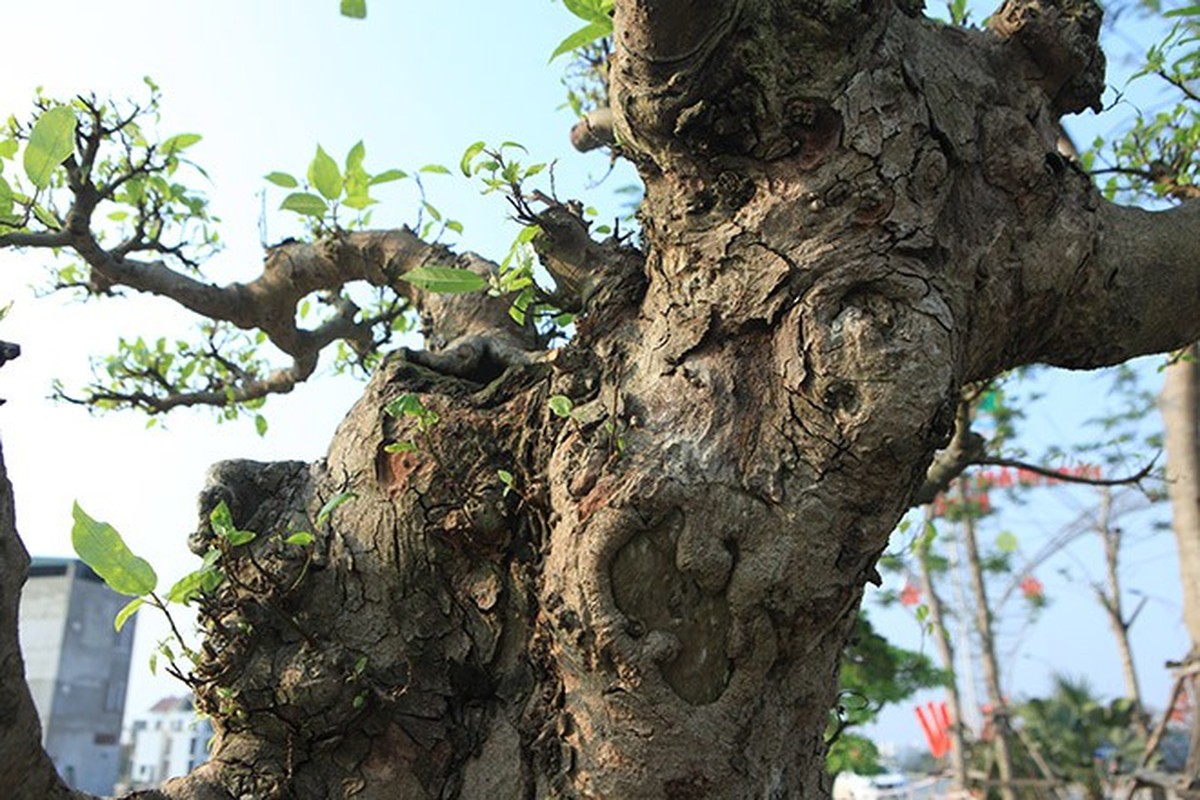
(77, 667)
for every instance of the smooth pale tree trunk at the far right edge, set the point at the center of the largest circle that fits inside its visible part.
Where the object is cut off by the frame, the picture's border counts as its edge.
(1180, 404)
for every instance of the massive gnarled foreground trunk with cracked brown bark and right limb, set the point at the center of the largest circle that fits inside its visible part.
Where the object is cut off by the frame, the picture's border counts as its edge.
(850, 214)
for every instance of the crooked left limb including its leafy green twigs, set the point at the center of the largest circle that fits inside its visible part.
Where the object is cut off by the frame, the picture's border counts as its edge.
(112, 166)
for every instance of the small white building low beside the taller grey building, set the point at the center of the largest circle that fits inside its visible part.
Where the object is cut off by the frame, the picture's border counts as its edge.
(170, 742)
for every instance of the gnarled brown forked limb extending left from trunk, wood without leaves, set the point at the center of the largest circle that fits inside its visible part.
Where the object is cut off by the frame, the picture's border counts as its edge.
(292, 272)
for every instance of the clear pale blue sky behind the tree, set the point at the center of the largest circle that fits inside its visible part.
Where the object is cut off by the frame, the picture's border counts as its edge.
(265, 82)
